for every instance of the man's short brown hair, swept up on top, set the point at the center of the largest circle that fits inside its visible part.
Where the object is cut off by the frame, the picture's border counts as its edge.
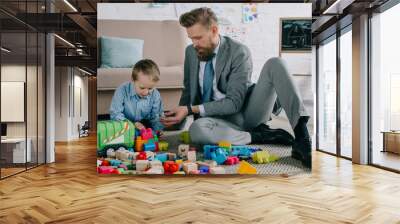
(204, 16)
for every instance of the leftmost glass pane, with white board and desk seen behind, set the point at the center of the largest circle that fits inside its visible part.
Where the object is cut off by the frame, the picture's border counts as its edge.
(13, 86)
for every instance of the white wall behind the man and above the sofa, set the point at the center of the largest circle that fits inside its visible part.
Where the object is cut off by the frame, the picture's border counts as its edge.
(261, 37)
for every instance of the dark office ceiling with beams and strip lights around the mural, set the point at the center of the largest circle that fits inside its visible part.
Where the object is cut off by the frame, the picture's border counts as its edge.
(76, 21)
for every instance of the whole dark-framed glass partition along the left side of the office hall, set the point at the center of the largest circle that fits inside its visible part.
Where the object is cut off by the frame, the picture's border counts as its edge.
(22, 65)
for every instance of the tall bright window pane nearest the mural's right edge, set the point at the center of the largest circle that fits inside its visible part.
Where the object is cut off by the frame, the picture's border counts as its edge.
(327, 97)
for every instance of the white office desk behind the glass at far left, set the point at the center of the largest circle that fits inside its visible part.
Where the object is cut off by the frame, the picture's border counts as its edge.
(13, 150)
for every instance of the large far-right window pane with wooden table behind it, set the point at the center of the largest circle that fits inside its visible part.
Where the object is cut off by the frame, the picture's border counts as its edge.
(385, 84)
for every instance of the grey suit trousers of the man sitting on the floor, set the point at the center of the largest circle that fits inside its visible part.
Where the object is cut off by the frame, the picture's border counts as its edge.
(274, 81)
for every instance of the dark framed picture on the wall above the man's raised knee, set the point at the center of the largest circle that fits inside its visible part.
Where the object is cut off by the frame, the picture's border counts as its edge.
(295, 35)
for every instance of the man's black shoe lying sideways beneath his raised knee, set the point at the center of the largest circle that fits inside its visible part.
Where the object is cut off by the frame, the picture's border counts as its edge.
(263, 134)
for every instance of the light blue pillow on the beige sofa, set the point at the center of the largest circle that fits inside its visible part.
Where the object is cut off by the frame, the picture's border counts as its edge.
(120, 52)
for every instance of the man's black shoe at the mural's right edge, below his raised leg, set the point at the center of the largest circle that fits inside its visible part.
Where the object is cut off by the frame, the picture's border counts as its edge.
(301, 150)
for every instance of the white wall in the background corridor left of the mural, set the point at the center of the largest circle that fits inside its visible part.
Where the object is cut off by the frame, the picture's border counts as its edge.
(69, 79)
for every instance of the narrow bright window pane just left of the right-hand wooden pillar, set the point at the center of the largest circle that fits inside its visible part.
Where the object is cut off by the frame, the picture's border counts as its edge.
(346, 94)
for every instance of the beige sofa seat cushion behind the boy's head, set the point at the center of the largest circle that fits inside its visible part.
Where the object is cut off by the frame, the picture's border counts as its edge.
(111, 78)
